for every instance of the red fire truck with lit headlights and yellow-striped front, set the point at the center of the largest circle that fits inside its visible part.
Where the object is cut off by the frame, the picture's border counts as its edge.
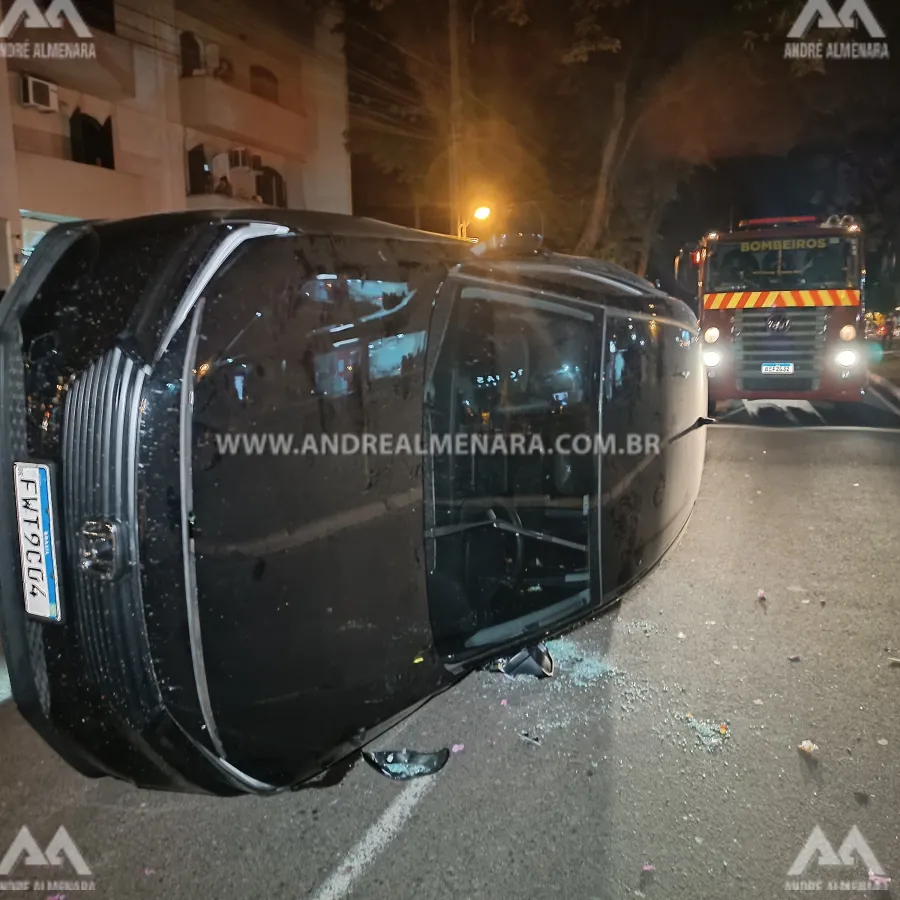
(781, 309)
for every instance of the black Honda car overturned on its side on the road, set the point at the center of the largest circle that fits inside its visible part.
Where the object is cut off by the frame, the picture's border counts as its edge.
(271, 483)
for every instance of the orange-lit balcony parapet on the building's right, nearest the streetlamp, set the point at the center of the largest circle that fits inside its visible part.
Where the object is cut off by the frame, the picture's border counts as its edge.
(210, 105)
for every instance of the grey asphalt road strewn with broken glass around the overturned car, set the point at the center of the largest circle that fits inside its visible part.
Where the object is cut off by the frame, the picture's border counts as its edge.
(619, 777)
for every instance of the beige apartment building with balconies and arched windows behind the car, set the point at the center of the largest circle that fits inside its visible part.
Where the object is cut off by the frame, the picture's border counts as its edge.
(123, 108)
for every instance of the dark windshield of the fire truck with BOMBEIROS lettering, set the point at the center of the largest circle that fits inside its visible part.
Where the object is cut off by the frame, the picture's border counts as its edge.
(797, 263)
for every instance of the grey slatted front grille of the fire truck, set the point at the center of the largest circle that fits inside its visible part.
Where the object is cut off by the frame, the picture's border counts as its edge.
(761, 336)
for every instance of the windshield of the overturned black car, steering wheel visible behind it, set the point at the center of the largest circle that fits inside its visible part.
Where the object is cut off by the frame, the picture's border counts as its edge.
(510, 529)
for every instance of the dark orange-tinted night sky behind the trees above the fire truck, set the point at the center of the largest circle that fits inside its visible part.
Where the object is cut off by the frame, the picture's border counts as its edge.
(727, 127)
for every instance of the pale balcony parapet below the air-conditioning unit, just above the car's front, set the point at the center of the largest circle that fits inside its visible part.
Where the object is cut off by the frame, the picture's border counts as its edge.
(61, 187)
